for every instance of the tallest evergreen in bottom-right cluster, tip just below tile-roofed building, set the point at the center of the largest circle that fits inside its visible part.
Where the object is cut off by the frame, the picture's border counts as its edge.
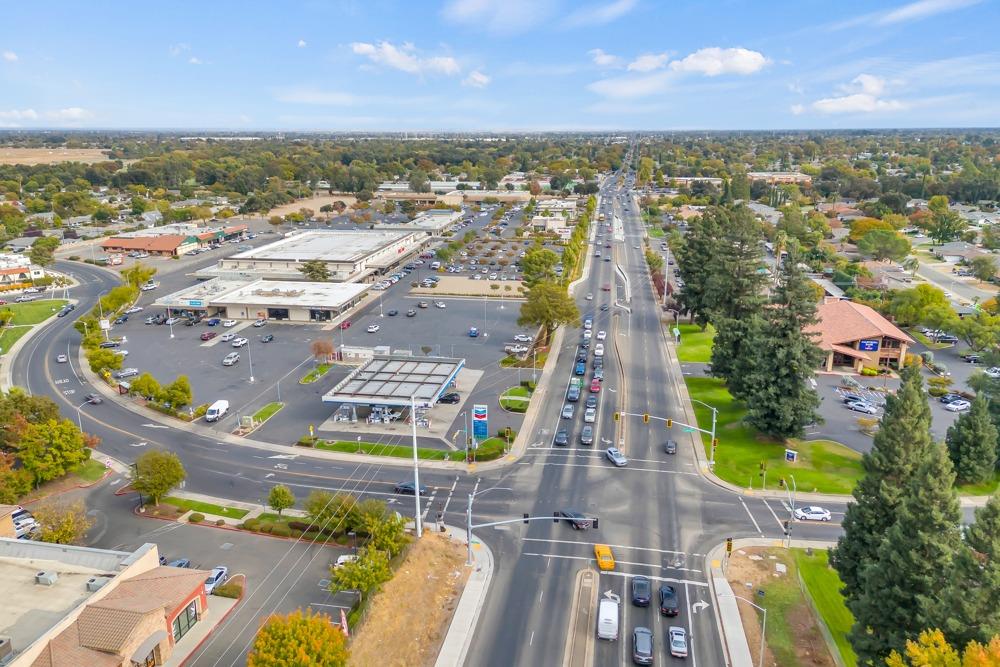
(902, 440)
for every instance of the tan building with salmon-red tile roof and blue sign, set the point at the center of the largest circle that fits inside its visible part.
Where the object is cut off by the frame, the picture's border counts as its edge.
(854, 335)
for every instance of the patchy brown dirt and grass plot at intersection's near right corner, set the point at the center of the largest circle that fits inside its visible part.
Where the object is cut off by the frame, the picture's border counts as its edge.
(793, 636)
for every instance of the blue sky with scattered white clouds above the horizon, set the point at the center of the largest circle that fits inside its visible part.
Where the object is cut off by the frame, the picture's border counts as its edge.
(500, 64)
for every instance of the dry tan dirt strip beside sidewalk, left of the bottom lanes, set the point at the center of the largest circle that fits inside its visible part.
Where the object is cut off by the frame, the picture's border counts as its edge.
(434, 573)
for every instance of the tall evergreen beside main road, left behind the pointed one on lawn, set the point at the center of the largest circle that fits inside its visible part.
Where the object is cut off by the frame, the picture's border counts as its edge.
(734, 293)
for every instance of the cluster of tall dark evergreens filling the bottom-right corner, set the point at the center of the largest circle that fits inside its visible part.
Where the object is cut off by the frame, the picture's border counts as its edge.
(905, 560)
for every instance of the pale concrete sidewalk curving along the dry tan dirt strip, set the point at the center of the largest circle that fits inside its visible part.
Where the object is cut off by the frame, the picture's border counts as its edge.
(455, 646)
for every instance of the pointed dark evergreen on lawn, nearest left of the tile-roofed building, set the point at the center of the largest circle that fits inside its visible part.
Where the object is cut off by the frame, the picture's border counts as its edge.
(780, 401)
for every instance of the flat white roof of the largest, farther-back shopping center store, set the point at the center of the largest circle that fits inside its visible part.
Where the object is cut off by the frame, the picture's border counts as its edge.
(325, 245)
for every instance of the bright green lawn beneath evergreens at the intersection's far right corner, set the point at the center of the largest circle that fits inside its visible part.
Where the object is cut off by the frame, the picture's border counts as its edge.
(823, 465)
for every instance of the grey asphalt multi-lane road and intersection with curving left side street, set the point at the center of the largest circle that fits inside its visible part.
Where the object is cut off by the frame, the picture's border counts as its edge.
(659, 514)
